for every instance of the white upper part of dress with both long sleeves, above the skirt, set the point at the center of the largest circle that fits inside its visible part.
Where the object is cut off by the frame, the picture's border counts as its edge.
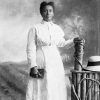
(44, 34)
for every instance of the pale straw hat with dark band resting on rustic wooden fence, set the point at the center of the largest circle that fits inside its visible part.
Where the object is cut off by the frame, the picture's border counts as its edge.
(93, 63)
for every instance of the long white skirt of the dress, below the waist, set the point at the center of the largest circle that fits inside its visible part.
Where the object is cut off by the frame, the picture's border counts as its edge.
(52, 86)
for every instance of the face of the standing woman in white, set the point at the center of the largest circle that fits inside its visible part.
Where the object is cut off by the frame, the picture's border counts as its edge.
(48, 13)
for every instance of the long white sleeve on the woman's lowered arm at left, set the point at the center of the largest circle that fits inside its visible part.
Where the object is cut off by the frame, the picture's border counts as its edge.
(31, 48)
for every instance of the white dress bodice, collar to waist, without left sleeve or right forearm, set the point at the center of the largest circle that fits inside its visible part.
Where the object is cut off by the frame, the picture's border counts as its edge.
(48, 33)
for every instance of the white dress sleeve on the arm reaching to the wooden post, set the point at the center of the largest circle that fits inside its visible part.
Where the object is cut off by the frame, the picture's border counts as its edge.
(61, 40)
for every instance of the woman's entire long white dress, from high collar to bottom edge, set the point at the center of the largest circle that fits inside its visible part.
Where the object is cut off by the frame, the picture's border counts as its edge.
(43, 40)
